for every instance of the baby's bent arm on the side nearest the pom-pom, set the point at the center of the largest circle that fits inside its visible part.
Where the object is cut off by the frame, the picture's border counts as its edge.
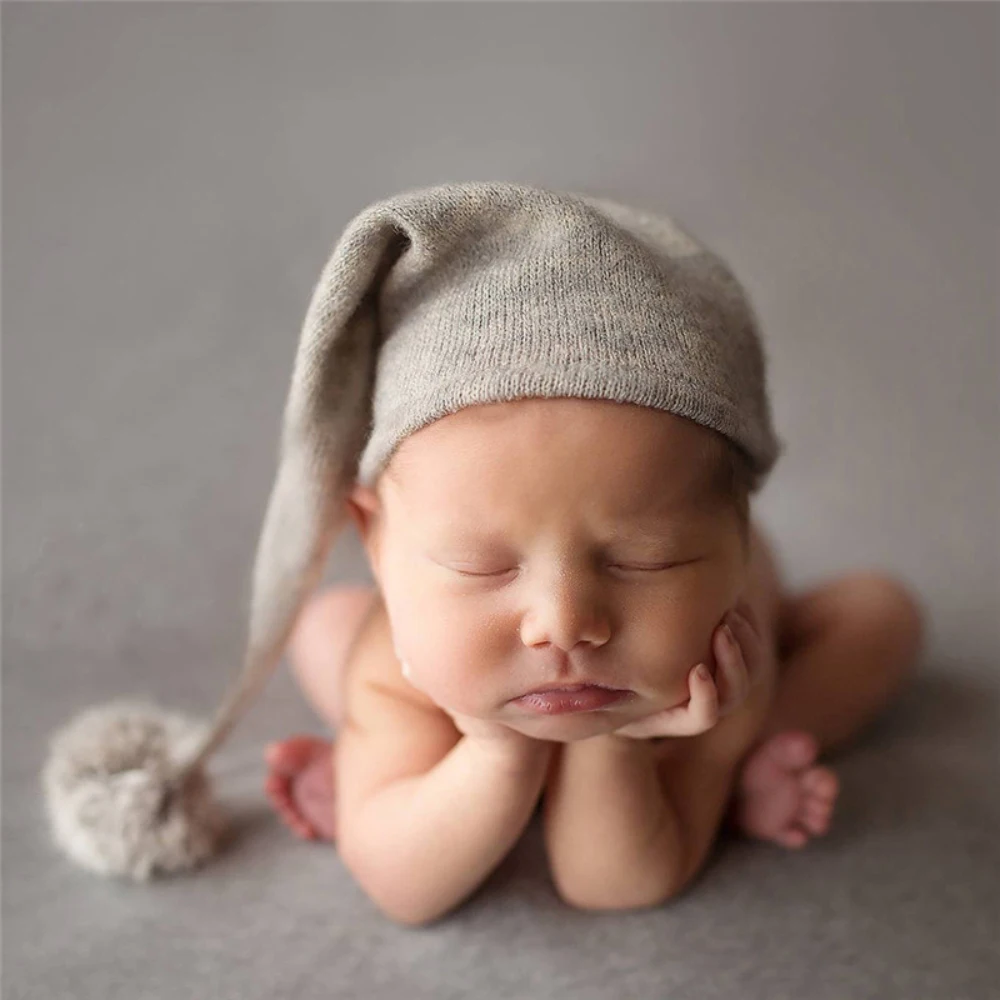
(424, 813)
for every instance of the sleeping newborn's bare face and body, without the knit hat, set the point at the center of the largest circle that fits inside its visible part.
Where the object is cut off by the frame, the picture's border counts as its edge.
(574, 607)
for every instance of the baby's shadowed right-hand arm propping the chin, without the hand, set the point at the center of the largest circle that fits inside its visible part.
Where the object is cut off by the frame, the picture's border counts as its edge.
(628, 823)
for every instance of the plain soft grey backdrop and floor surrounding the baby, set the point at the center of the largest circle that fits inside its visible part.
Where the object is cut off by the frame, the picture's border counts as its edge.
(174, 179)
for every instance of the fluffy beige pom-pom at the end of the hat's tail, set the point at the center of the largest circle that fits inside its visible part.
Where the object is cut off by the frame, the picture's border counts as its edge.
(112, 797)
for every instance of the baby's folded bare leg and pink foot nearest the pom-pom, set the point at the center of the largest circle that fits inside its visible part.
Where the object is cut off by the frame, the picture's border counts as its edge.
(300, 769)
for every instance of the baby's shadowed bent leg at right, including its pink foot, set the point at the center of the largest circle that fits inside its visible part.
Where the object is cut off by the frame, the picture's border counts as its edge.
(845, 648)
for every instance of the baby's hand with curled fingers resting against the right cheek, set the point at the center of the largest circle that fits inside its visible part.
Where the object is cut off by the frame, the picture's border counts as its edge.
(737, 647)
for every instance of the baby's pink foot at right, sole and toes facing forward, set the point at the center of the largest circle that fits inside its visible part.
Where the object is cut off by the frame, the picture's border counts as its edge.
(781, 796)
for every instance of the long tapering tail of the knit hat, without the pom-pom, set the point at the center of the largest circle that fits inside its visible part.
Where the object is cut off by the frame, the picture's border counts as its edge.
(325, 423)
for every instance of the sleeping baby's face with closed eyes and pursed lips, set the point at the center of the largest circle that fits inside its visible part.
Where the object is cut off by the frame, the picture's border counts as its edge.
(547, 543)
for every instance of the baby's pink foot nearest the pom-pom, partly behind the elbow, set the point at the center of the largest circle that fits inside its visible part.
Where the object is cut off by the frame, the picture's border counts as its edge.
(300, 785)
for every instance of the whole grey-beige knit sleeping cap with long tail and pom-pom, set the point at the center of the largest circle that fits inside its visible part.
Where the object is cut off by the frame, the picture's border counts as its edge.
(433, 300)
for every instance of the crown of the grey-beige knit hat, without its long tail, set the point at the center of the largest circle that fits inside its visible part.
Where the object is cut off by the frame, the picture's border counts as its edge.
(505, 291)
